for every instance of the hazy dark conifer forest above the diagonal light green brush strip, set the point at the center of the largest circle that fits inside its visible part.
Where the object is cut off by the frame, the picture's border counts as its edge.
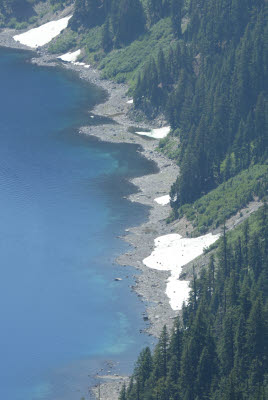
(212, 86)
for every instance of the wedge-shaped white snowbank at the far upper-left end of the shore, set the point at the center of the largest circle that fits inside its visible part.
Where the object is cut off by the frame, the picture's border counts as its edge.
(43, 34)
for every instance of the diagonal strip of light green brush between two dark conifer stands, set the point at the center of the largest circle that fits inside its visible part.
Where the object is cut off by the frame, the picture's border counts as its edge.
(211, 210)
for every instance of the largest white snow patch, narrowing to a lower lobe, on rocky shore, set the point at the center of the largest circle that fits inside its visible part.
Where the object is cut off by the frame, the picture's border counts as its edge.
(170, 254)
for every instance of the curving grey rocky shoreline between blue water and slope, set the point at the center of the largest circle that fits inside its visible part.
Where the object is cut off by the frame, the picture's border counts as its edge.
(150, 284)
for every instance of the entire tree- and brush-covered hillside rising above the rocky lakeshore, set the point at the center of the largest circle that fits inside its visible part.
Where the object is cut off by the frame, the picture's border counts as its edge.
(200, 65)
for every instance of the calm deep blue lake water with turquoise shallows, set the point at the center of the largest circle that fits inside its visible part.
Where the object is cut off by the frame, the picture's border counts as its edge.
(62, 207)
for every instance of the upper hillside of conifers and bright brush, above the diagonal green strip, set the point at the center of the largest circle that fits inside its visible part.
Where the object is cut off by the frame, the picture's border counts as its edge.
(203, 65)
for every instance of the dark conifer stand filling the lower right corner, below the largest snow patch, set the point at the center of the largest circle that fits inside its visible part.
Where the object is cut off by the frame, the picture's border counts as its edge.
(220, 350)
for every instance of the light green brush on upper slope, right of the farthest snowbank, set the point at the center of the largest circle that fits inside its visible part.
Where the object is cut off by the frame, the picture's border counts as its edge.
(122, 64)
